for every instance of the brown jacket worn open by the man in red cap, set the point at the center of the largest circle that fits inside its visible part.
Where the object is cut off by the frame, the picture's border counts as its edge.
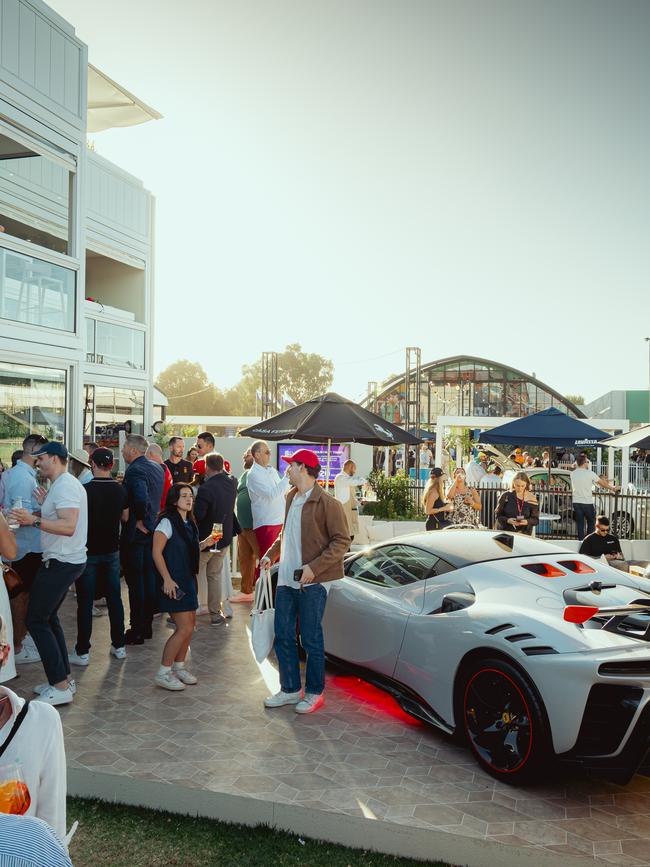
(324, 535)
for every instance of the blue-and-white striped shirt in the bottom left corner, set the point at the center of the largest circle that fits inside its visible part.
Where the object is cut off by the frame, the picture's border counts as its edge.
(26, 841)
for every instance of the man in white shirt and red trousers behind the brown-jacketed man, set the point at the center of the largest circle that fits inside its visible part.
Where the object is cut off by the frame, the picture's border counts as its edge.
(267, 491)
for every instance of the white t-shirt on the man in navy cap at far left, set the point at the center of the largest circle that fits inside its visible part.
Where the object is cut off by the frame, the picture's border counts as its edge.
(66, 492)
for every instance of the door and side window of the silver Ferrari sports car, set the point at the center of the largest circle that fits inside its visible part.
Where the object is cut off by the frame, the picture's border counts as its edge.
(367, 611)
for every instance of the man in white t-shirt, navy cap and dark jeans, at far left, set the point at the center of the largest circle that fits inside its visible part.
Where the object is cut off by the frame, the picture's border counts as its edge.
(63, 523)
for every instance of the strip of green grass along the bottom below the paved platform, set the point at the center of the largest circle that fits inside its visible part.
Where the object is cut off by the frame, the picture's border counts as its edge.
(120, 836)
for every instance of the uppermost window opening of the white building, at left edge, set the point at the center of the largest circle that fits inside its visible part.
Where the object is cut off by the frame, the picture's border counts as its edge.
(35, 203)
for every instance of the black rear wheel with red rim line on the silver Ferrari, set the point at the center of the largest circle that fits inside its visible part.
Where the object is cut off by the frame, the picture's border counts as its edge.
(504, 721)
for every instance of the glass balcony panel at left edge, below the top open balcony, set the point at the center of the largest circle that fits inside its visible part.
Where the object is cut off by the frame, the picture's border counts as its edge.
(36, 292)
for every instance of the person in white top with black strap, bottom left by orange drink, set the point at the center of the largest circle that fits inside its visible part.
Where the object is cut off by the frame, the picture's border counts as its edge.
(36, 749)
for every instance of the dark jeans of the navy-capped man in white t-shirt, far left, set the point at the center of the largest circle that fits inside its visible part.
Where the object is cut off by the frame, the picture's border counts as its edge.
(50, 586)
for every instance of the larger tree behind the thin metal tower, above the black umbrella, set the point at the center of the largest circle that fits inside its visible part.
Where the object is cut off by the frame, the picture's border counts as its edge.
(301, 376)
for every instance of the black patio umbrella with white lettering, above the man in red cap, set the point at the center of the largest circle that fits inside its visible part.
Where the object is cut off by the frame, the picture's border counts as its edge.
(329, 418)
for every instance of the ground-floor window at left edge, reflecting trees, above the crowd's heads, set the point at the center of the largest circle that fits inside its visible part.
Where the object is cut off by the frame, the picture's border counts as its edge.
(32, 400)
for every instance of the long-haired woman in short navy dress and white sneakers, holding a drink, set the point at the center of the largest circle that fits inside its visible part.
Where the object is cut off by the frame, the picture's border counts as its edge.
(176, 549)
